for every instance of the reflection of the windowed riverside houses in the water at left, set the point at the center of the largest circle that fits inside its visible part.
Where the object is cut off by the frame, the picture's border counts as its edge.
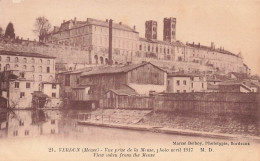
(24, 123)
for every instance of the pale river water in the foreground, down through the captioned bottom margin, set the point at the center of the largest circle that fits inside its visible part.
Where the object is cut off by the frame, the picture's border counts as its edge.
(29, 135)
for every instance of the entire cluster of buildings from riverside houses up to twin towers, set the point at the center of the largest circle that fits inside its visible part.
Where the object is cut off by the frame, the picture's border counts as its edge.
(137, 66)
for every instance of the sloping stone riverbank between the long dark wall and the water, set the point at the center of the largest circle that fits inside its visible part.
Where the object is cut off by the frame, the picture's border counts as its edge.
(175, 123)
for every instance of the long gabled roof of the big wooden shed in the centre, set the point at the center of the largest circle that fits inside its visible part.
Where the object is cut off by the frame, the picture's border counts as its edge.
(117, 69)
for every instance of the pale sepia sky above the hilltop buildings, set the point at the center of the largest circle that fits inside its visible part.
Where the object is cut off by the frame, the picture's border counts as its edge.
(232, 24)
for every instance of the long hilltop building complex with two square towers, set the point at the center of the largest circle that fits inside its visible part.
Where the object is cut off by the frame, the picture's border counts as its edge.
(128, 46)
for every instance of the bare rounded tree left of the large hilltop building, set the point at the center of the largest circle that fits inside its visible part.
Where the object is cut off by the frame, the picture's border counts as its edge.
(41, 27)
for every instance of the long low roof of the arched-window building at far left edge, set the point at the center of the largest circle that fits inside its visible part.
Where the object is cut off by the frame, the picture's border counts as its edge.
(25, 54)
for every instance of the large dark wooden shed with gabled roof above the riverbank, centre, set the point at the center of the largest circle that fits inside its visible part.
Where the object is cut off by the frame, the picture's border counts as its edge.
(143, 78)
